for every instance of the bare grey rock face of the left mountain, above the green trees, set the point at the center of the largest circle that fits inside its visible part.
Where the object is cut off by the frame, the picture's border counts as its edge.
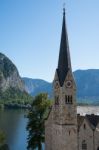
(9, 76)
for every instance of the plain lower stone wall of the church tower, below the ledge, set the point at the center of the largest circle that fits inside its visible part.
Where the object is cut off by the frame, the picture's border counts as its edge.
(64, 137)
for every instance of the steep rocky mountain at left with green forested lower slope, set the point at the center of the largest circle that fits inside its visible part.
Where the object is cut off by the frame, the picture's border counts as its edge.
(12, 87)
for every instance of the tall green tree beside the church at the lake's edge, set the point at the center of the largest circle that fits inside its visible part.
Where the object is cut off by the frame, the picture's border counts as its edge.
(36, 121)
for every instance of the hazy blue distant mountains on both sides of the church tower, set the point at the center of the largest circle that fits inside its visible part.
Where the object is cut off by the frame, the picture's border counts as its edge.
(87, 82)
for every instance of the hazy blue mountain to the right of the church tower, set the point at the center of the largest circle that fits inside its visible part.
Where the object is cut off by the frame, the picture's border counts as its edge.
(87, 82)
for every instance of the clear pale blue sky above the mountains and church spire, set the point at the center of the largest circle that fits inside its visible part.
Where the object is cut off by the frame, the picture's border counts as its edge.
(30, 32)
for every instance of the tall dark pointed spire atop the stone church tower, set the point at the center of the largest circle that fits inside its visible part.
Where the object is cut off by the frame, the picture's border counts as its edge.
(64, 63)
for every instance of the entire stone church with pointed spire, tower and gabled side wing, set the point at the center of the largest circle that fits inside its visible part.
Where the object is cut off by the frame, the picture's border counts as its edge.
(64, 129)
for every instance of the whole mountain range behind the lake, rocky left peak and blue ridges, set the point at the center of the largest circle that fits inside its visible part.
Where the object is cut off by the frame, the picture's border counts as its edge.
(13, 87)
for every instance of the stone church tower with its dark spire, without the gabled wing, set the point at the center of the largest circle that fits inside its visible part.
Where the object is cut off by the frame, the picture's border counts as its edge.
(61, 126)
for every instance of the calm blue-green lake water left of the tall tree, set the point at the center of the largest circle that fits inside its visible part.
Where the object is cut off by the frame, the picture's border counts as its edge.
(13, 123)
